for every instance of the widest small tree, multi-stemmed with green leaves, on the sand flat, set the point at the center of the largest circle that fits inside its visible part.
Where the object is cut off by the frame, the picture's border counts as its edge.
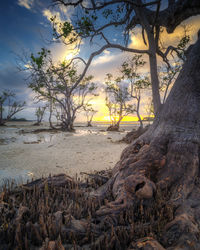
(59, 84)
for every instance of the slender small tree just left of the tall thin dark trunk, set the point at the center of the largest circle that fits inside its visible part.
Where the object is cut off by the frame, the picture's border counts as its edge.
(136, 81)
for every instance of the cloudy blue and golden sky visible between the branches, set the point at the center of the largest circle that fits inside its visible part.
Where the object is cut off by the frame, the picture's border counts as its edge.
(25, 28)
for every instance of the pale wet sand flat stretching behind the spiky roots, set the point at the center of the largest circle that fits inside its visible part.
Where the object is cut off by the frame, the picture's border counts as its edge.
(86, 150)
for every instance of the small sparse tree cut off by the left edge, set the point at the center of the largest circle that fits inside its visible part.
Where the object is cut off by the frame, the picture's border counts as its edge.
(13, 107)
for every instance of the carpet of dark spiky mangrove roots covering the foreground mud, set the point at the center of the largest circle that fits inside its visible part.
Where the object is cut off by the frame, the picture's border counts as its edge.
(60, 213)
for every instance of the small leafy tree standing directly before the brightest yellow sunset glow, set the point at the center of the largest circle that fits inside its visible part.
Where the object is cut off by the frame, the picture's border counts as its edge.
(117, 98)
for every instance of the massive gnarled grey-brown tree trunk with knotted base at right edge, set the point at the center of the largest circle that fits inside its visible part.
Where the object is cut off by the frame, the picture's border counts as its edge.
(166, 157)
